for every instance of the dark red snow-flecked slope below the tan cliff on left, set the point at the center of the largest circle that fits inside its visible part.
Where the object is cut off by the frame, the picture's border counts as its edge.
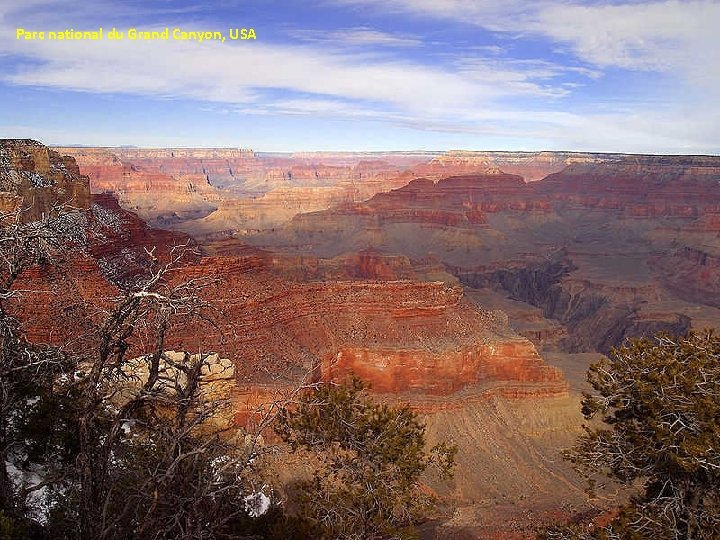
(107, 248)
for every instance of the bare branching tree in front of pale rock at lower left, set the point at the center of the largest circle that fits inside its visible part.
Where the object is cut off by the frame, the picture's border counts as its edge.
(152, 457)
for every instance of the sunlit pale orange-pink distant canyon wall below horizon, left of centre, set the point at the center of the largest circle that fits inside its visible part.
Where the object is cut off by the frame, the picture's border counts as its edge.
(213, 191)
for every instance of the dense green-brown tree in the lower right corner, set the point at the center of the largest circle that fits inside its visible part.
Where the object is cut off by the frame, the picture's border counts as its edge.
(659, 400)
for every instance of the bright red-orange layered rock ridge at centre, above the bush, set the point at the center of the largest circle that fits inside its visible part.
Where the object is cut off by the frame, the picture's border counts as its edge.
(399, 335)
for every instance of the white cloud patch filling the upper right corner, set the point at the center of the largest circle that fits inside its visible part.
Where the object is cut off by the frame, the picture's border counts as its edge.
(663, 36)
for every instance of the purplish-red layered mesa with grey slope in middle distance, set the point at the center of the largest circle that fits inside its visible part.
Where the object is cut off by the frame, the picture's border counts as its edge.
(422, 220)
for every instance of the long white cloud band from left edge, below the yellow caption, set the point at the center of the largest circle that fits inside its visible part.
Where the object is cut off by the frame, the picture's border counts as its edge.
(235, 74)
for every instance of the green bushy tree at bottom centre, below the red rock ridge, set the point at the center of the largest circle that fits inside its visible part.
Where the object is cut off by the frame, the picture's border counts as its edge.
(370, 458)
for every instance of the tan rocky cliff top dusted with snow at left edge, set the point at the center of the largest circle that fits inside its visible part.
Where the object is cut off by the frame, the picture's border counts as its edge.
(39, 180)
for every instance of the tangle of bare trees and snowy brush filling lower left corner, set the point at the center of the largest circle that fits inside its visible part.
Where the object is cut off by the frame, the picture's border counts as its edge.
(117, 437)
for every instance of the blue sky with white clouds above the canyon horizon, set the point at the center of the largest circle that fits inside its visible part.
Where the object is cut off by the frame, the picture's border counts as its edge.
(370, 75)
